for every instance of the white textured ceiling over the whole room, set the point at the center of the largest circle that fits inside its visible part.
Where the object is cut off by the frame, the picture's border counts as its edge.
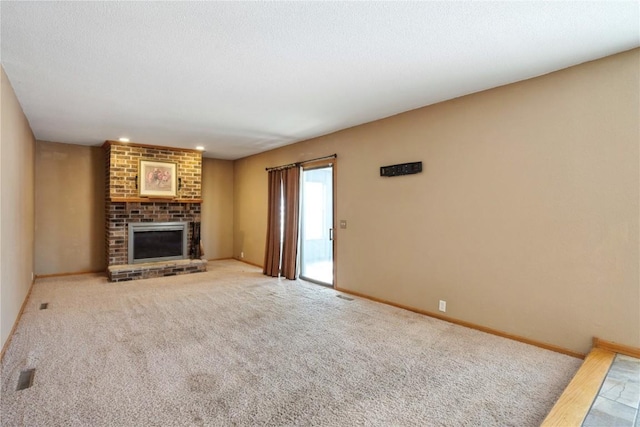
(244, 77)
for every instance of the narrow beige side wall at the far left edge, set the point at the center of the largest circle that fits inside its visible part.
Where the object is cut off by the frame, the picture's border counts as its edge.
(16, 208)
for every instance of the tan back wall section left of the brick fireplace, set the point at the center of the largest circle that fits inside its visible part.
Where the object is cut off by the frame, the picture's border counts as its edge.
(69, 208)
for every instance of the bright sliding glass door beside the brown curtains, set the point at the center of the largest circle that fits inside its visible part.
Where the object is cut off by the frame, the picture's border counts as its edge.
(316, 225)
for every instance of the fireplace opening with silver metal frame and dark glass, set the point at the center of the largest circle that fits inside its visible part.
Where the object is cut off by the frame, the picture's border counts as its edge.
(157, 241)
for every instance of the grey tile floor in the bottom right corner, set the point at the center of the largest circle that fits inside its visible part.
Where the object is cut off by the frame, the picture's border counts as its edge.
(618, 401)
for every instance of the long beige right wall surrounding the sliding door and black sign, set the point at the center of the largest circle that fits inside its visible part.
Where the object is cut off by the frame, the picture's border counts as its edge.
(524, 220)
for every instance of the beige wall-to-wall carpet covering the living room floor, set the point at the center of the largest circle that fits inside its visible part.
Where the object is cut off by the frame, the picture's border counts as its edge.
(234, 347)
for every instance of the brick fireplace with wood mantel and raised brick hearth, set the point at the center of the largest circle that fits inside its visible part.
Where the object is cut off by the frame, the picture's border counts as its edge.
(124, 206)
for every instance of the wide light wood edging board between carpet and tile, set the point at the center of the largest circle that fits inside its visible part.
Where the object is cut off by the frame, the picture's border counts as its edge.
(573, 405)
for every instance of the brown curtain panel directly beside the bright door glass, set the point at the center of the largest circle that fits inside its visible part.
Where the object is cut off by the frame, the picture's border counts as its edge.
(291, 185)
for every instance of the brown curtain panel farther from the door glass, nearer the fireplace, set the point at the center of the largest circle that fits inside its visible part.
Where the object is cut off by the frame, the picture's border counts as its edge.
(272, 249)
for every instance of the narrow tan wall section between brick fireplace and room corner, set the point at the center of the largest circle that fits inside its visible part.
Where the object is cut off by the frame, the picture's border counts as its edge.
(217, 208)
